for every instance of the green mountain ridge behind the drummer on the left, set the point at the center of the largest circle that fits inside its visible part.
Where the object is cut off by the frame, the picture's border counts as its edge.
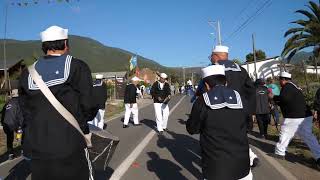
(99, 57)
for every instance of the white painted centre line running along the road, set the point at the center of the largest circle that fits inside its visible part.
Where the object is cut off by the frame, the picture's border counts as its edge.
(124, 166)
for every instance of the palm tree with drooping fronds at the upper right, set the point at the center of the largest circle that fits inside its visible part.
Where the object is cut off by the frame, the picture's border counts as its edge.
(306, 35)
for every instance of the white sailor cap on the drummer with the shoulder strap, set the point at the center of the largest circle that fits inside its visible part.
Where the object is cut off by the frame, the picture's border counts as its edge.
(54, 33)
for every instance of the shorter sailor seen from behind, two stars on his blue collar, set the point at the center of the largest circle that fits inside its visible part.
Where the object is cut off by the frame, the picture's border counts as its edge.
(219, 118)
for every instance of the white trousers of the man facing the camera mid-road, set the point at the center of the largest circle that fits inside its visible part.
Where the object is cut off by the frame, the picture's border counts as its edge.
(162, 115)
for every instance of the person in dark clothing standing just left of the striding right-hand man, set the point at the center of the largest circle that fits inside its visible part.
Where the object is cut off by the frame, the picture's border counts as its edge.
(262, 107)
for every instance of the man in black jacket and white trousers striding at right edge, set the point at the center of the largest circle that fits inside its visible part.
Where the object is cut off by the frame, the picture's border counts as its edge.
(297, 118)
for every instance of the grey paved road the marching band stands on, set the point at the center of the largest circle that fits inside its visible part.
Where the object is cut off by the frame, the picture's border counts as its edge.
(176, 155)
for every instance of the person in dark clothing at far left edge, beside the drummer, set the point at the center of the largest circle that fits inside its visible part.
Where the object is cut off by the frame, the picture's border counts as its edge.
(11, 120)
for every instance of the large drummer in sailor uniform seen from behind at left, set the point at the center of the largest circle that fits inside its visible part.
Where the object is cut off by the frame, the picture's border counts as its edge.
(56, 148)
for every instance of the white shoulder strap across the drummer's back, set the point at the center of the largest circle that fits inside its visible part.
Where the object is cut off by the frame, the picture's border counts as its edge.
(55, 103)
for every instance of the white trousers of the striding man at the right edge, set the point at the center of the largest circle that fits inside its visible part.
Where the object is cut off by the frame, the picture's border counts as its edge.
(301, 126)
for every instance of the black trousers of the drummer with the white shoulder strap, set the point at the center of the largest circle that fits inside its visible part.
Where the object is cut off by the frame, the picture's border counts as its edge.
(74, 166)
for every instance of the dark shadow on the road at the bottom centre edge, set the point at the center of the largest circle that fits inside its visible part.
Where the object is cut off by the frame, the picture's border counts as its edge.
(164, 168)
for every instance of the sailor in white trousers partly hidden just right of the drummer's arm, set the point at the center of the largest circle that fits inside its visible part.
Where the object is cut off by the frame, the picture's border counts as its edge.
(100, 97)
